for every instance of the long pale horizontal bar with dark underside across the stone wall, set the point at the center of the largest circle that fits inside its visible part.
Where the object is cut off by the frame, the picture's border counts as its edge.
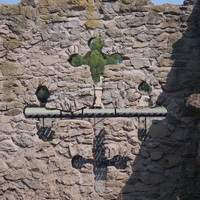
(95, 113)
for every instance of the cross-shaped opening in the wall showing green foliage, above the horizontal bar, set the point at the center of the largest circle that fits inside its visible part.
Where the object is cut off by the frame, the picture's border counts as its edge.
(96, 59)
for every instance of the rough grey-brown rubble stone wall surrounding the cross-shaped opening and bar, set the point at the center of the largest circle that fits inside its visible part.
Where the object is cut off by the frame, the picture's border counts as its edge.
(160, 46)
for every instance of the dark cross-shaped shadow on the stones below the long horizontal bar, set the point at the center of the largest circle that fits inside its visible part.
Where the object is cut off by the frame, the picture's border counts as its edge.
(100, 162)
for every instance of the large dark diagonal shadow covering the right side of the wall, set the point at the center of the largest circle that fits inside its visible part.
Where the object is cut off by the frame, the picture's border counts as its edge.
(166, 167)
